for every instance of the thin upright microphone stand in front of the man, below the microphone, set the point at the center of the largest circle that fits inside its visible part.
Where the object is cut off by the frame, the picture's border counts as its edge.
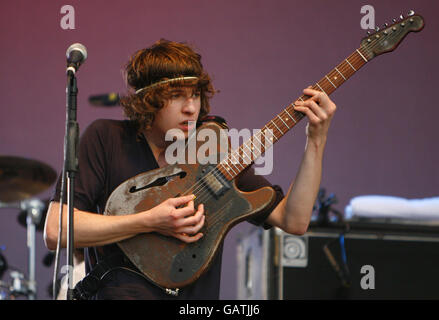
(71, 168)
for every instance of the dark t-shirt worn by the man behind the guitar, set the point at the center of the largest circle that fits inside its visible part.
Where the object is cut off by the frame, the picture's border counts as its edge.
(111, 152)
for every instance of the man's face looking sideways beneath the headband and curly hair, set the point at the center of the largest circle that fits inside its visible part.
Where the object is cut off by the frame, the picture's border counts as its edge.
(183, 106)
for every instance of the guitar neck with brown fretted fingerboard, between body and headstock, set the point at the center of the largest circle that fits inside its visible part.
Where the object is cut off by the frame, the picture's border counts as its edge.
(244, 156)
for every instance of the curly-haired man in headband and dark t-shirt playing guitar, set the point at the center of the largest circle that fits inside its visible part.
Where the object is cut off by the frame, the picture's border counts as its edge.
(170, 89)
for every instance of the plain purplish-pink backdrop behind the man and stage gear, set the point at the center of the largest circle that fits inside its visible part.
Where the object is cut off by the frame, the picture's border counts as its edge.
(261, 54)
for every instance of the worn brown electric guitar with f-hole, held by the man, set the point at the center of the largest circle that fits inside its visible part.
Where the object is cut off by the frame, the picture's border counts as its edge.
(170, 263)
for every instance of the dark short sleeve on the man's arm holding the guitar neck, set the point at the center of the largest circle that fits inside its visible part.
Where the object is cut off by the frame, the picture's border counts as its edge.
(249, 181)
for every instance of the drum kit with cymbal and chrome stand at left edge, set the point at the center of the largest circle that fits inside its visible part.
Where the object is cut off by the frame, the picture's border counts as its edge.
(21, 180)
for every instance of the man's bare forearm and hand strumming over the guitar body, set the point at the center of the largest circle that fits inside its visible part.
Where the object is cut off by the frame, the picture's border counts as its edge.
(91, 229)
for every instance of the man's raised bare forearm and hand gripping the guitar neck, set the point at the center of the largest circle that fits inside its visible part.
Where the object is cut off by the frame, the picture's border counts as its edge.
(293, 213)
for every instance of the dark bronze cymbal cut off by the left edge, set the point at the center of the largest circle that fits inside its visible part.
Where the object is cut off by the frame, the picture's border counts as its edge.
(22, 178)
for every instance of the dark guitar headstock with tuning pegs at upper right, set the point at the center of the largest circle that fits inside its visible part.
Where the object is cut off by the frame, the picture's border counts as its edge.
(386, 40)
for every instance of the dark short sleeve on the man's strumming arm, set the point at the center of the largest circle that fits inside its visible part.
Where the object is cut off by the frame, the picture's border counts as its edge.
(90, 179)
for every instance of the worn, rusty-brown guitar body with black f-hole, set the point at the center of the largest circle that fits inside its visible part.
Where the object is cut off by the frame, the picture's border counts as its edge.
(167, 261)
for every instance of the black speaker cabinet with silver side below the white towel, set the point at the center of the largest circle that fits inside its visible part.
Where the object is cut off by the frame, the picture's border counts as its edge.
(364, 263)
